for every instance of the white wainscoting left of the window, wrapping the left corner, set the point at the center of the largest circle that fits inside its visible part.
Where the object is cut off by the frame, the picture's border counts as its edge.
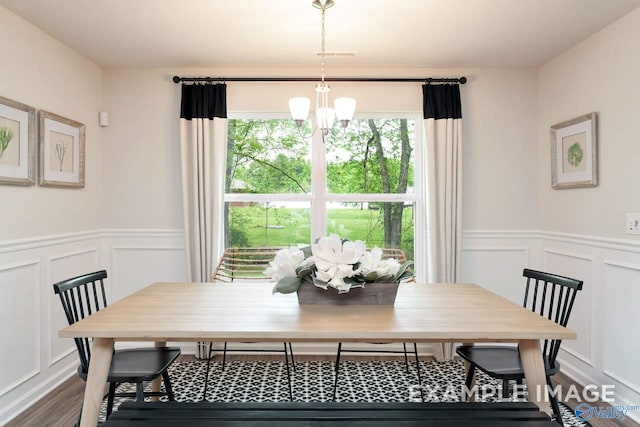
(33, 360)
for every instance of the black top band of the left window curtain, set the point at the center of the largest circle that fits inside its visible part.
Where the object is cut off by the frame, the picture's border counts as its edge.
(204, 101)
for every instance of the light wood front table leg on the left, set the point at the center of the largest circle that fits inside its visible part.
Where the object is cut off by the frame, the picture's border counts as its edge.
(96, 379)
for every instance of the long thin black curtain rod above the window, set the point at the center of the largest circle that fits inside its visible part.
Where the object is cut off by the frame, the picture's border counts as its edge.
(178, 79)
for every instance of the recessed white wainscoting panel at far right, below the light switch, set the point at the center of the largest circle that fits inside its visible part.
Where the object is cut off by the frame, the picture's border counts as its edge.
(620, 344)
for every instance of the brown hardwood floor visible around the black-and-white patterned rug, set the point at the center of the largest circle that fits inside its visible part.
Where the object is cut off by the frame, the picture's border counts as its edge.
(61, 407)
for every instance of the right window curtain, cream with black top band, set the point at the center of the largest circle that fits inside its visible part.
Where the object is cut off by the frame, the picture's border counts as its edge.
(443, 137)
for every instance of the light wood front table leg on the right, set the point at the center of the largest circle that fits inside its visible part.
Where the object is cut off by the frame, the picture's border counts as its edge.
(531, 357)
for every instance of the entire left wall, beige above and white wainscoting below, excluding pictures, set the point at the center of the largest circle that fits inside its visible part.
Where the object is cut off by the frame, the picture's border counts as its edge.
(46, 234)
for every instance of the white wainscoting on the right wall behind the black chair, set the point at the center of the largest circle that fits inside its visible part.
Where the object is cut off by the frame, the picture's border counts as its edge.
(606, 313)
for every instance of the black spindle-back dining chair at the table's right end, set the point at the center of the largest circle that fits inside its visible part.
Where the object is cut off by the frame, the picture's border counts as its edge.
(550, 296)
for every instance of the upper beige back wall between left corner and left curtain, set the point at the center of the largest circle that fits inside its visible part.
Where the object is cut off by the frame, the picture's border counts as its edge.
(141, 151)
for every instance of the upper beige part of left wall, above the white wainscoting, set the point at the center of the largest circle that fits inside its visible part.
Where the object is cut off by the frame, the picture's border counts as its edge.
(41, 72)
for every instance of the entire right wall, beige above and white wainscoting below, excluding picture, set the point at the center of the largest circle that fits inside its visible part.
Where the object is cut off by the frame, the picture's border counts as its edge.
(584, 228)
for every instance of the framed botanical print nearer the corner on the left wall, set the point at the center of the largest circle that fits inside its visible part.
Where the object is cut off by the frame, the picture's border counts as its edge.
(61, 151)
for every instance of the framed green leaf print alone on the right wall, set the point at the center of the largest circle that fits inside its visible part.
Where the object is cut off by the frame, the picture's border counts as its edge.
(573, 153)
